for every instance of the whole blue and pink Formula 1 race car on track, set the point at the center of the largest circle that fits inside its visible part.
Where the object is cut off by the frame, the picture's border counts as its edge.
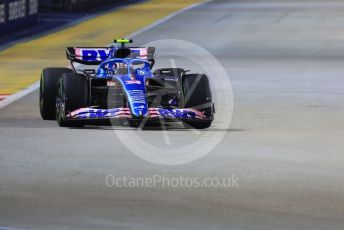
(118, 84)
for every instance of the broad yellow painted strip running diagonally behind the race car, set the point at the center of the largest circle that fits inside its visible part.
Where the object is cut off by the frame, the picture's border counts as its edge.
(20, 65)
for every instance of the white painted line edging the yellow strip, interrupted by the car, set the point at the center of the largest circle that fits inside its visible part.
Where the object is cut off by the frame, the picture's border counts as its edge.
(14, 97)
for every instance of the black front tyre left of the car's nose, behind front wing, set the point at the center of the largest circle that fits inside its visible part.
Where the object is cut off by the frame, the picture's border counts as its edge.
(72, 94)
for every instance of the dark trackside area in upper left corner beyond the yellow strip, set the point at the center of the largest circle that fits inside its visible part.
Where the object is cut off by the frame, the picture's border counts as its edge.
(32, 12)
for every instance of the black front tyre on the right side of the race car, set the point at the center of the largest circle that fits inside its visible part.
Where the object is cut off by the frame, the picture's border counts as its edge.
(197, 94)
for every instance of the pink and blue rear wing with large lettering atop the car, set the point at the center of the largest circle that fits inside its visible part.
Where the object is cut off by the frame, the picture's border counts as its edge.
(96, 55)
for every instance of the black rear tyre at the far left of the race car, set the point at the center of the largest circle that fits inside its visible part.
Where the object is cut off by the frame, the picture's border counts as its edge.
(48, 89)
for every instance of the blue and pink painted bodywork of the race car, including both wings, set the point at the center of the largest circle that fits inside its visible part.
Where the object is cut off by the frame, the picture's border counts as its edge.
(132, 74)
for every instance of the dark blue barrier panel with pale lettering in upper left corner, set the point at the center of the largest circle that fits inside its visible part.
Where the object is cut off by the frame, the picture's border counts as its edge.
(17, 14)
